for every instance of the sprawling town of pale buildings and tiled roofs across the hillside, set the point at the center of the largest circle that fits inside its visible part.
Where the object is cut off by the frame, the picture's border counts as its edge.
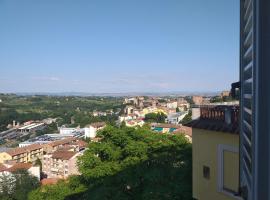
(49, 149)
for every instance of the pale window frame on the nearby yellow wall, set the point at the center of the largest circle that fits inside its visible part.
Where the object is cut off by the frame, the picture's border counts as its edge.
(221, 149)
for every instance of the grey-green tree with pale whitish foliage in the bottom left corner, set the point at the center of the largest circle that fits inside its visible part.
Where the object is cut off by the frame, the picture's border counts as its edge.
(16, 186)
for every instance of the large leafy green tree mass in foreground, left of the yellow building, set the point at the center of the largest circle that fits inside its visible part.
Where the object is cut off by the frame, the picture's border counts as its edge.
(128, 164)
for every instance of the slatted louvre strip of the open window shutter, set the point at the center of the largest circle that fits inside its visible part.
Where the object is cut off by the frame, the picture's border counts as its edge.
(247, 76)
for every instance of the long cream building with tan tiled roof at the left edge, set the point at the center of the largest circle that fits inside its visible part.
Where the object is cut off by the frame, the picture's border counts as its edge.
(22, 154)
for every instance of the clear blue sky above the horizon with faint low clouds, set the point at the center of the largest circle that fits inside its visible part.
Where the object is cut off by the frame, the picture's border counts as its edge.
(118, 46)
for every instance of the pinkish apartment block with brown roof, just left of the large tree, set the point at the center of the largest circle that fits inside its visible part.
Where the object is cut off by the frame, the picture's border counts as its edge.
(60, 164)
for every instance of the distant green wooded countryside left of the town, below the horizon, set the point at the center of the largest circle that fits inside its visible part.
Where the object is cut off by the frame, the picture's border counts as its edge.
(24, 108)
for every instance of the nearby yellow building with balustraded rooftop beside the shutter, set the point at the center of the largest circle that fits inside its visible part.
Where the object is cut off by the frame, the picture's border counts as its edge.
(215, 138)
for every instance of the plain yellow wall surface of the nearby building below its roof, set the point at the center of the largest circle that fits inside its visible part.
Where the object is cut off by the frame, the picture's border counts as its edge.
(206, 153)
